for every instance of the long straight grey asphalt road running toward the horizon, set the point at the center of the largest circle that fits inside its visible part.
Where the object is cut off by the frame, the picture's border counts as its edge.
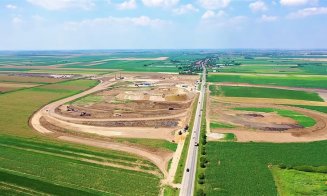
(187, 186)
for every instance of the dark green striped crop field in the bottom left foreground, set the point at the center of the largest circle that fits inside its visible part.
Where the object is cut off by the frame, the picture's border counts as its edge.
(49, 165)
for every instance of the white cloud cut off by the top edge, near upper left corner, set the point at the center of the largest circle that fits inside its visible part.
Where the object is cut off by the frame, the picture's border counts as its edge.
(63, 4)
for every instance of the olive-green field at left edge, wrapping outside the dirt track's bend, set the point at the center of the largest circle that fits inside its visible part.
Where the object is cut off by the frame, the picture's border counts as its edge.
(17, 106)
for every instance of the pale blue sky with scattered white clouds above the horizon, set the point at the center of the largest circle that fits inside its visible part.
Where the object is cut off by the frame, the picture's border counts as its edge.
(162, 24)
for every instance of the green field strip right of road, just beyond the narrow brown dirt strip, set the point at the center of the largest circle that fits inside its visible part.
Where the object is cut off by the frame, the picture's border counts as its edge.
(292, 80)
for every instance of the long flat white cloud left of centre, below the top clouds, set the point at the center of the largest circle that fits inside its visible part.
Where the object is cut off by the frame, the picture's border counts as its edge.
(141, 21)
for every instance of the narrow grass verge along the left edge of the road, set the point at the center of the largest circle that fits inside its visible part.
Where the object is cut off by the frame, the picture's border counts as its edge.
(181, 165)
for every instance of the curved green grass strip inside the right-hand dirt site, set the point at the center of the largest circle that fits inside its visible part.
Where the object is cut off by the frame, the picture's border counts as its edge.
(301, 119)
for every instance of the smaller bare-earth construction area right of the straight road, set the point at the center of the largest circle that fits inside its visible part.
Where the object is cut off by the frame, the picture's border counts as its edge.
(264, 126)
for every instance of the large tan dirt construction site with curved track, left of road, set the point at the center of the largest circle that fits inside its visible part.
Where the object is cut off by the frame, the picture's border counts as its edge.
(131, 106)
